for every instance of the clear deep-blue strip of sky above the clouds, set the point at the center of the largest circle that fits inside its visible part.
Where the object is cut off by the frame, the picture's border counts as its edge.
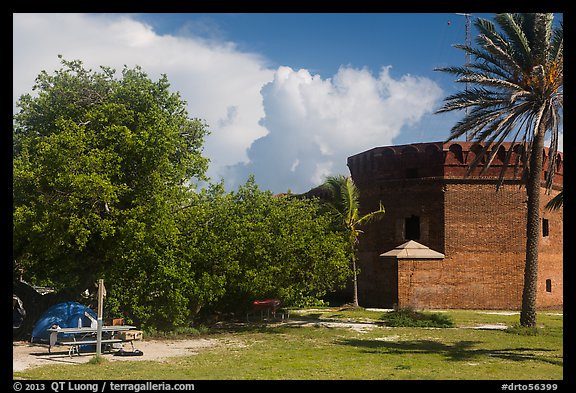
(324, 42)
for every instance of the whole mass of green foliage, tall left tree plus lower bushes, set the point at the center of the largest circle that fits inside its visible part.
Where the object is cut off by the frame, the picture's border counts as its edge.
(105, 172)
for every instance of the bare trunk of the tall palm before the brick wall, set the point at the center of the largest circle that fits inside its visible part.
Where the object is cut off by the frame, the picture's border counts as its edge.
(528, 312)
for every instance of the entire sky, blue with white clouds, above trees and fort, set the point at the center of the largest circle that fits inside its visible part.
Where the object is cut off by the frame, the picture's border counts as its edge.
(287, 97)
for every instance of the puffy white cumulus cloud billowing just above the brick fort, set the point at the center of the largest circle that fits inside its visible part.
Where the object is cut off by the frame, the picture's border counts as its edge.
(314, 124)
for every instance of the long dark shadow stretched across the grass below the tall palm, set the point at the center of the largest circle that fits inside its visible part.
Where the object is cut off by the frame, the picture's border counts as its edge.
(458, 351)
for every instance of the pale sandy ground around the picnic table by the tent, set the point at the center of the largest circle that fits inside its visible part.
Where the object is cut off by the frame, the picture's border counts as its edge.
(25, 354)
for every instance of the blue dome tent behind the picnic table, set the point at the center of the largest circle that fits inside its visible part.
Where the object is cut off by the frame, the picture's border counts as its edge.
(67, 314)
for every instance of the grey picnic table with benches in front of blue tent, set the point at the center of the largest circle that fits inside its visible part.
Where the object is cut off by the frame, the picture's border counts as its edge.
(78, 336)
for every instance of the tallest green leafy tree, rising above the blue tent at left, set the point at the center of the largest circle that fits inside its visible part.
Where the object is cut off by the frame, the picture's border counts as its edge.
(100, 166)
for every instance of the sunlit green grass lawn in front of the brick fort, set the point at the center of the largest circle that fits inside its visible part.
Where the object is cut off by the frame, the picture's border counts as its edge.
(316, 352)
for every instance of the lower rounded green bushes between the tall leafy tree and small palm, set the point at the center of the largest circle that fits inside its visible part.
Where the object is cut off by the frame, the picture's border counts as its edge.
(229, 249)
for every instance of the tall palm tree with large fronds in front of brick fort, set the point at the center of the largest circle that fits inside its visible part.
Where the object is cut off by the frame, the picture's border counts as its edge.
(517, 94)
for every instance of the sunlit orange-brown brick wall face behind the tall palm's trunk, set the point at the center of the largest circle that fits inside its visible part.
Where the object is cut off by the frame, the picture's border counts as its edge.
(485, 244)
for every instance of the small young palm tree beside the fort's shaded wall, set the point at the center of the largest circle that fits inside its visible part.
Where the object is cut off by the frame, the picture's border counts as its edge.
(345, 203)
